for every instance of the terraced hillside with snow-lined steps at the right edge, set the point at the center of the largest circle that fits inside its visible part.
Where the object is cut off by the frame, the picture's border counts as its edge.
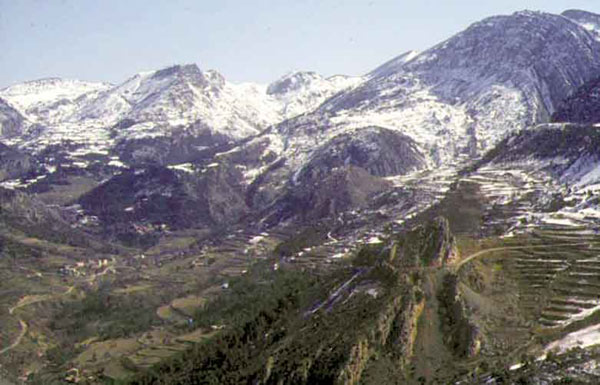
(544, 273)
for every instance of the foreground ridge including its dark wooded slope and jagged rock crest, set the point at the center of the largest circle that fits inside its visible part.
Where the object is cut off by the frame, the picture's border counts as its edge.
(358, 327)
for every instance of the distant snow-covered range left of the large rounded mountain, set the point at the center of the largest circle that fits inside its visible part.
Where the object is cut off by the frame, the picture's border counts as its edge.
(178, 99)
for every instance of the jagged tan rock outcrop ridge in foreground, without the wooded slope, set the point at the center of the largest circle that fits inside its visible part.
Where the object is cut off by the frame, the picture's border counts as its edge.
(386, 332)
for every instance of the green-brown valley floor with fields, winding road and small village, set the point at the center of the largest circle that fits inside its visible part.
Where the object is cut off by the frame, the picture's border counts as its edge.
(109, 319)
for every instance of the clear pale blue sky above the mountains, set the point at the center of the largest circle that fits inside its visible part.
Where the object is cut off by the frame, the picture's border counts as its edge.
(245, 40)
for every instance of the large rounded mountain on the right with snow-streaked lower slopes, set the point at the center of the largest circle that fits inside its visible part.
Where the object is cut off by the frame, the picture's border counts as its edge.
(450, 103)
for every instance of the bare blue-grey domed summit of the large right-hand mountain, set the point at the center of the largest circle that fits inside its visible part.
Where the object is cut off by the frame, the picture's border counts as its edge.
(545, 56)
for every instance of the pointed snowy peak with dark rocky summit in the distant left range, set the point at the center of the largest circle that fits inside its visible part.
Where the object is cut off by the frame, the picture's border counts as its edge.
(151, 104)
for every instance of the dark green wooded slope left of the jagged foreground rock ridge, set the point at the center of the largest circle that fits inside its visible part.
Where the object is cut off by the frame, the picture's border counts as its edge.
(257, 311)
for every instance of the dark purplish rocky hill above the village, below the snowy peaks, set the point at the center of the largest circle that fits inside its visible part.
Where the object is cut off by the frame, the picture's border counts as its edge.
(157, 196)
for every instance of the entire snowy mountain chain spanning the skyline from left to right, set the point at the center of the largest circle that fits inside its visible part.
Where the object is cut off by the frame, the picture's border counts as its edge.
(443, 106)
